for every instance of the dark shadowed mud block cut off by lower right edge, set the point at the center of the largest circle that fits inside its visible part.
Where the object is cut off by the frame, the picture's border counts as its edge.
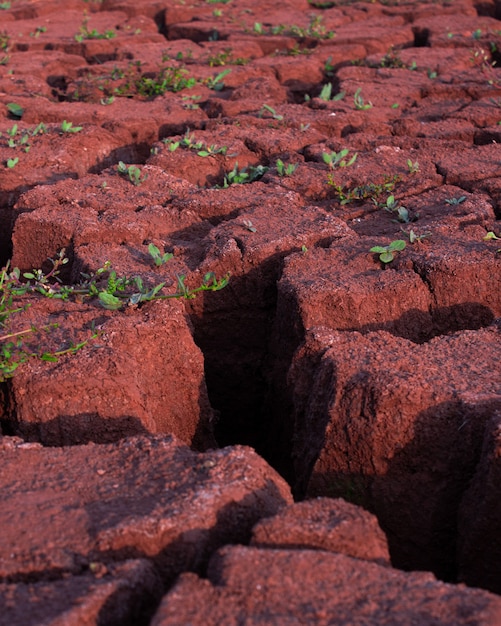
(479, 541)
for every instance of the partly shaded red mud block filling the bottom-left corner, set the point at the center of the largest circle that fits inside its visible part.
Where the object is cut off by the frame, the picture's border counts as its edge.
(123, 594)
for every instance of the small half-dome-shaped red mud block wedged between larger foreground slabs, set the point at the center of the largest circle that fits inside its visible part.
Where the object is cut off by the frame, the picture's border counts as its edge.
(324, 524)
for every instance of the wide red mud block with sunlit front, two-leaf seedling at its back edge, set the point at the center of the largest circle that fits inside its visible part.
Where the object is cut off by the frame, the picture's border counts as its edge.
(451, 285)
